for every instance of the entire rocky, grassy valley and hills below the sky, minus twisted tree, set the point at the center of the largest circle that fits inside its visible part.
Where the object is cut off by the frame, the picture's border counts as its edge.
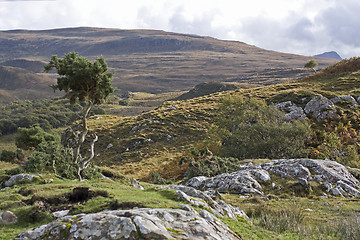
(201, 139)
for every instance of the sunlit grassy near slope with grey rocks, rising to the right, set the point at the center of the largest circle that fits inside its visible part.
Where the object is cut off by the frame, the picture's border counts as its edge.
(289, 198)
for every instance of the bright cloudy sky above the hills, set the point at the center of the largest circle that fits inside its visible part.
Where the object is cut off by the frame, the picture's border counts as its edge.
(304, 27)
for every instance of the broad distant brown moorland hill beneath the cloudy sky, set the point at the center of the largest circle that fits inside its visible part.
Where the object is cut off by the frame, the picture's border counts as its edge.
(156, 61)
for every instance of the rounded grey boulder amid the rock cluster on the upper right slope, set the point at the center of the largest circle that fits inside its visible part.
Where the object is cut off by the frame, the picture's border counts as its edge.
(320, 107)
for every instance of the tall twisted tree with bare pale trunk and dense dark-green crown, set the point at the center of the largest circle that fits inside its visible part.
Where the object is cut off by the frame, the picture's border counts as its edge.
(83, 81)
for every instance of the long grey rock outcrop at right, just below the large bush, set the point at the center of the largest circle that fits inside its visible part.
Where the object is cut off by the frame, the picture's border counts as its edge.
(248, 179)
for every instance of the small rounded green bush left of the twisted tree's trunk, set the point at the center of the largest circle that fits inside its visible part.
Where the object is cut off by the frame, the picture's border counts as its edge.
(30, 138)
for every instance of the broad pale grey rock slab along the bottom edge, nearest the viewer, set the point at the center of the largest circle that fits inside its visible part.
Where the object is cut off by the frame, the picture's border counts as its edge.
(144, 223)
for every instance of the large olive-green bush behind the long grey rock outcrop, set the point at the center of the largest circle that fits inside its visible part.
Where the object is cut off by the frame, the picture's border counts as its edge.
(248, 128)
